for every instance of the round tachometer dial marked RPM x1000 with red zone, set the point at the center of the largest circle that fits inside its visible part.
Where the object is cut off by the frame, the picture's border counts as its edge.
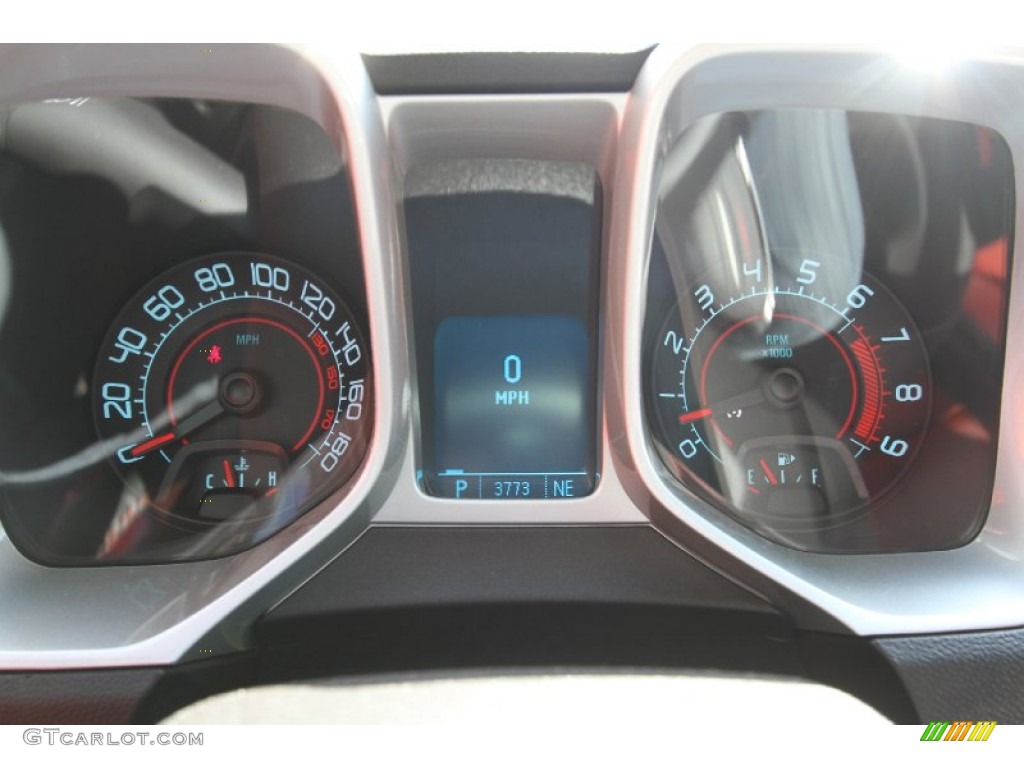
(795, 408)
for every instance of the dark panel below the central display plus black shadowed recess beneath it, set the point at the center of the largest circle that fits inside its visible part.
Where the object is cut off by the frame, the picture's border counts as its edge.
(420, 600)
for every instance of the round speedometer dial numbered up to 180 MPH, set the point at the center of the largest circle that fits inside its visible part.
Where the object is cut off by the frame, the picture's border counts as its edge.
(237, 389)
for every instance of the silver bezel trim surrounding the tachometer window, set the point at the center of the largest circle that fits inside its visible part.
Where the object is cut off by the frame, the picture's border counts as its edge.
(979, 586)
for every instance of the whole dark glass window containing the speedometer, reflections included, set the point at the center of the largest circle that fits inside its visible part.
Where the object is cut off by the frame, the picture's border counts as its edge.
(155, 409)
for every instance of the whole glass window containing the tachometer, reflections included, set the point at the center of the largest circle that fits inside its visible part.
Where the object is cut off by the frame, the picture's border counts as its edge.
(827, 306)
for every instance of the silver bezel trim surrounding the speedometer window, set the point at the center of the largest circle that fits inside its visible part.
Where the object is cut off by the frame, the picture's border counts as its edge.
(141, 616)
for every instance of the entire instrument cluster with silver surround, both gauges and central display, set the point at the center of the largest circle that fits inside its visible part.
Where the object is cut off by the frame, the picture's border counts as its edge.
(751, 302)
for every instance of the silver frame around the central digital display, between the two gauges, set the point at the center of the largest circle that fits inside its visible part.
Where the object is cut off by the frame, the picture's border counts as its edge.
(502, 131)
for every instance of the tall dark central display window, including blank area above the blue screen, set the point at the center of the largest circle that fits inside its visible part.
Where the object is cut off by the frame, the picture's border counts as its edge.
(505, 298)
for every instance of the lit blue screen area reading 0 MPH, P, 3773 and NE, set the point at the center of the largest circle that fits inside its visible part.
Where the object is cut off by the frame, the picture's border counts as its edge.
(511, 408)
